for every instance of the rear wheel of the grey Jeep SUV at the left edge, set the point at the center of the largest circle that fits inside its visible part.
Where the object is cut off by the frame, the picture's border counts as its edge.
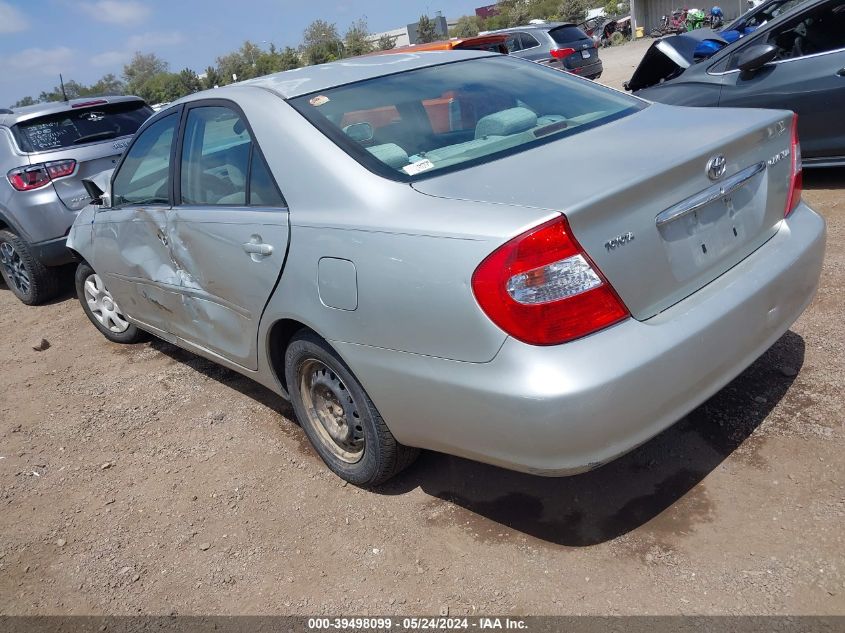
(29, 280)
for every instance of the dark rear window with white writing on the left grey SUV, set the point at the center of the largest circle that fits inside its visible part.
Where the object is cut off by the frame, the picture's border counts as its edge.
(81, 125)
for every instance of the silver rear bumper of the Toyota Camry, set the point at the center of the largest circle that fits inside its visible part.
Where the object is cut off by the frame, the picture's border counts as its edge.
(569, 408)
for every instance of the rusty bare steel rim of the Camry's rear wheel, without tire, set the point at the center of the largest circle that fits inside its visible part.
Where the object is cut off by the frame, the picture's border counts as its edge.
(331, 410)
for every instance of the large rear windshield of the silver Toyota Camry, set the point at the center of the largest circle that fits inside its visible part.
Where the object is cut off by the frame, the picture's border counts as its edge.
(447, 117)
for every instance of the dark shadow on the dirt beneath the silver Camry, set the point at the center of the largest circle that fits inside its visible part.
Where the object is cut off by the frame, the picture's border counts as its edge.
(593, 507)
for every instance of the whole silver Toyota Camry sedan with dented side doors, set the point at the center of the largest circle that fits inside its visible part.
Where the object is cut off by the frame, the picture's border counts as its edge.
(456, 251)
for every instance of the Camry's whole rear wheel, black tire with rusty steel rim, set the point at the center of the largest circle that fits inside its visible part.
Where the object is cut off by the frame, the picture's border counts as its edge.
(339, 418)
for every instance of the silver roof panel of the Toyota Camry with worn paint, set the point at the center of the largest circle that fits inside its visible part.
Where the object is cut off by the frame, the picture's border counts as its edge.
(295, 83)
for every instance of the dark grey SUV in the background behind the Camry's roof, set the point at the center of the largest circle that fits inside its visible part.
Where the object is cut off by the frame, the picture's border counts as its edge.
(560, 45)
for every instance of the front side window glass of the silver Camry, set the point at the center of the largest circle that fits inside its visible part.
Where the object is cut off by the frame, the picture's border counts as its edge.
(144, 175)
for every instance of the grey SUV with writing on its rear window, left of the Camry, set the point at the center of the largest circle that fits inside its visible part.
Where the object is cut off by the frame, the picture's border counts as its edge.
(45, 152)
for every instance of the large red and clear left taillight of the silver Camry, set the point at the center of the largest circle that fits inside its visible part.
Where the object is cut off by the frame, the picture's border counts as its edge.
(543, 289)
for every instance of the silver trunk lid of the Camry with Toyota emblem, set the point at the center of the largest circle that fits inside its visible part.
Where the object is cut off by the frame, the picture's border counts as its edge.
(639, 199)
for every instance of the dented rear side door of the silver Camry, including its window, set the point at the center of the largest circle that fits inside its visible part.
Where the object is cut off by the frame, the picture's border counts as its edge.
(228, 234)
